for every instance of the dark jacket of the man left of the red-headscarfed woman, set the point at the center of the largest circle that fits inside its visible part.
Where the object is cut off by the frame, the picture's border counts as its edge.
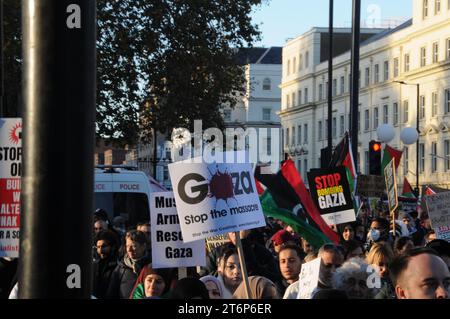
(123, 279)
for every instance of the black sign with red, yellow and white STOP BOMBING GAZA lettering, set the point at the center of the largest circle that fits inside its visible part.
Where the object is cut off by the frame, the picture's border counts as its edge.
(331, 192)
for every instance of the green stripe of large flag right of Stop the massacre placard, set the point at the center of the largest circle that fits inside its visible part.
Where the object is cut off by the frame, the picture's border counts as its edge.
(313, 236)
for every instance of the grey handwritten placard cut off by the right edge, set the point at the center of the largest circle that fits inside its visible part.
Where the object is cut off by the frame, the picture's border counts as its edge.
(438, 206)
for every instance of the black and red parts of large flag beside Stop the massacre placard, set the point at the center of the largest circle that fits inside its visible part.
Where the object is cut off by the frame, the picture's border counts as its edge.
(288, 190)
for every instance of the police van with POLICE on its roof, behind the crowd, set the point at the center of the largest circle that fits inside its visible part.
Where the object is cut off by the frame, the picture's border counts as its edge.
(124, 191)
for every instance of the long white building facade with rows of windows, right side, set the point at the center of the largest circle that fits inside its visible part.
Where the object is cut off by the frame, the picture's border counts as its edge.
(416, 52)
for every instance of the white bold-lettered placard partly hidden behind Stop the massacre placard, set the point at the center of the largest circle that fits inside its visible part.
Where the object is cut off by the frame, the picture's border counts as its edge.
(168, 248)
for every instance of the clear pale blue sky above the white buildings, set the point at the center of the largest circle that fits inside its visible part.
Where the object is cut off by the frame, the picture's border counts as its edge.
(283, 19)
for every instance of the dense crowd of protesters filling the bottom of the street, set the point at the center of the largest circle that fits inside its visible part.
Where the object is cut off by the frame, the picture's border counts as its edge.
(372, 261)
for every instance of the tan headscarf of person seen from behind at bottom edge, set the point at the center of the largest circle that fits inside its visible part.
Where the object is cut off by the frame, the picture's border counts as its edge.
(260, 288)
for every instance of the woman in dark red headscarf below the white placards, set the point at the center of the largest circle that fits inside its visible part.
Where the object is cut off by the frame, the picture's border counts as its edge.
(153, 283)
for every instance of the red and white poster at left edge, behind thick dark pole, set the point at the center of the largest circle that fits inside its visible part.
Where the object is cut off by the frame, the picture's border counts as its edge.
(10, 185)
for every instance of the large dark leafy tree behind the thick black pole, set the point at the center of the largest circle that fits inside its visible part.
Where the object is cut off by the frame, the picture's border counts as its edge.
(160, 64)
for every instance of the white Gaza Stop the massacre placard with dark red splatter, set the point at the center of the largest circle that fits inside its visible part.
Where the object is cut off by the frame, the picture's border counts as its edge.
(215, 198)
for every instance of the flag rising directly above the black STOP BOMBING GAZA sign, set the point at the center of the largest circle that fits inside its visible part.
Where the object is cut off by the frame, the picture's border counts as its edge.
(342, 156)
